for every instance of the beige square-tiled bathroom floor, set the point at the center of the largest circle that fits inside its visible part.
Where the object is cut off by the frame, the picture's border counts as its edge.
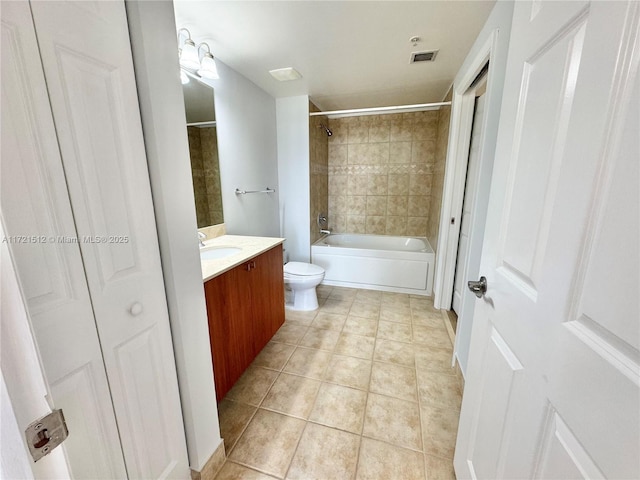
(361, 388)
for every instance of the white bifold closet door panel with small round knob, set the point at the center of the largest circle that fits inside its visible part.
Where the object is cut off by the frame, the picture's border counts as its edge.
(88, 67)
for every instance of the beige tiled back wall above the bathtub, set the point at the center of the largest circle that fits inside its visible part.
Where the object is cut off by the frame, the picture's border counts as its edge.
(386, 155)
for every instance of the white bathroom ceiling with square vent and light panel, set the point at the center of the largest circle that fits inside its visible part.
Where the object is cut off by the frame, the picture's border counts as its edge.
(352, 54)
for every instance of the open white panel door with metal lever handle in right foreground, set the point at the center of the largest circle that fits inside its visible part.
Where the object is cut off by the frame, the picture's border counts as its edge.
(553, 381)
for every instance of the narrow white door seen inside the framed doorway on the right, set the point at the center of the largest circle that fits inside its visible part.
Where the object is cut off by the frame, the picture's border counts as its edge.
(470, 187)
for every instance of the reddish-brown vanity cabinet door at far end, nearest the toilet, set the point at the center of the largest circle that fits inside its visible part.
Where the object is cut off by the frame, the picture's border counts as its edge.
(267, 296)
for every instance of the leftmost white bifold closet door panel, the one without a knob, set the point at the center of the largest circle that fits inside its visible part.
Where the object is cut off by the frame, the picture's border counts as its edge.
(40, 231)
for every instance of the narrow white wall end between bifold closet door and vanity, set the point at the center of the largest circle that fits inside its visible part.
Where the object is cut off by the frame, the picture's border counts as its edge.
(153, 40)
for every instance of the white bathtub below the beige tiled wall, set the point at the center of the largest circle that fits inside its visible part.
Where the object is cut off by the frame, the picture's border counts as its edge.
(376, 262)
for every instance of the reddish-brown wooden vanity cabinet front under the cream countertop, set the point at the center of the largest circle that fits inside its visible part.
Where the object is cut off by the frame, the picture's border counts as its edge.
(245, 307)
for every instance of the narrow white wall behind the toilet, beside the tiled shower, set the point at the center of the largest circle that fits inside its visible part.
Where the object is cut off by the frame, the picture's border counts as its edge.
(293, 174)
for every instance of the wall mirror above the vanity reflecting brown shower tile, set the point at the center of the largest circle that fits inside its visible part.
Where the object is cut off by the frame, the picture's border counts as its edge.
(203, 150)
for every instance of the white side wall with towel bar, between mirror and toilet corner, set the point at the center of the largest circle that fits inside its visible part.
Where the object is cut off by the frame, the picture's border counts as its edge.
(246, 127)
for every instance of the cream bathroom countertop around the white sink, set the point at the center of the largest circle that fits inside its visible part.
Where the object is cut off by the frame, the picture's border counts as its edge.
(251, 247)
